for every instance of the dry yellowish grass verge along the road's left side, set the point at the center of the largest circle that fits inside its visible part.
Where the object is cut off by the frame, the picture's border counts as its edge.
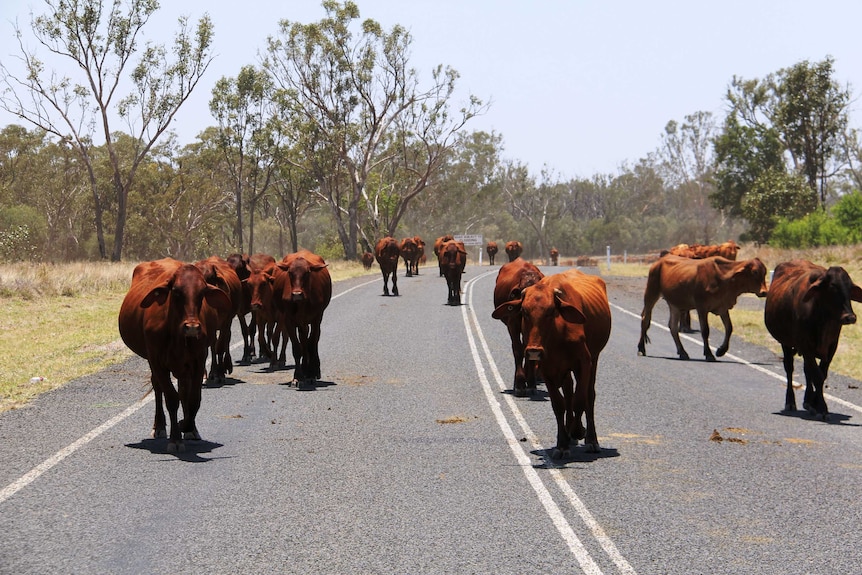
(59, 322)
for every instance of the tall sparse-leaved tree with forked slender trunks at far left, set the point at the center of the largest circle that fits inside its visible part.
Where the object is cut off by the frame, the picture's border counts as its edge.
(98, 43)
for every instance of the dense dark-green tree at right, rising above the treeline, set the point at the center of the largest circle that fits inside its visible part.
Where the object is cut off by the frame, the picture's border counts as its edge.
(790, 124)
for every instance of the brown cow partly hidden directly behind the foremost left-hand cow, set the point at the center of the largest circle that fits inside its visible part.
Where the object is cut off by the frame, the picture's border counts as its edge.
(218, 272)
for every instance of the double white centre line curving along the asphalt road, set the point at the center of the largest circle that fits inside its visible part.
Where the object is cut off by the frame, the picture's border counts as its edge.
(581, 554)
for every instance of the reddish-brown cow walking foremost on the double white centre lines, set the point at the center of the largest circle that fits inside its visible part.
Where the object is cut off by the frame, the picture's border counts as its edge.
(566, 322)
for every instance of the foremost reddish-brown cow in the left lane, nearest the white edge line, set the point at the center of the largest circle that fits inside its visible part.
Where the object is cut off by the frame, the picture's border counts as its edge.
(169, 317)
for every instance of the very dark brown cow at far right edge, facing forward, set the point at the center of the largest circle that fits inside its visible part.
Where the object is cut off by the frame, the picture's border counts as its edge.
(806, 307)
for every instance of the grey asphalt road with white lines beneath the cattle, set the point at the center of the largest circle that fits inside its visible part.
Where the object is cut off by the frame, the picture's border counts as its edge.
(411, 456)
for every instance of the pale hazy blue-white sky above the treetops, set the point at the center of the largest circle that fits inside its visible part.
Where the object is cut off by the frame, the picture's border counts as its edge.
(580, 86)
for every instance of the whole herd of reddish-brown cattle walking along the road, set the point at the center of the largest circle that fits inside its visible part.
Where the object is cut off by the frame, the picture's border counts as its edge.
(177, 314)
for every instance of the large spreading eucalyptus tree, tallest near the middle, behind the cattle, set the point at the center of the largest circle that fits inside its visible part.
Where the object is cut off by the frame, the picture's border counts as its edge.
(357, 97)
